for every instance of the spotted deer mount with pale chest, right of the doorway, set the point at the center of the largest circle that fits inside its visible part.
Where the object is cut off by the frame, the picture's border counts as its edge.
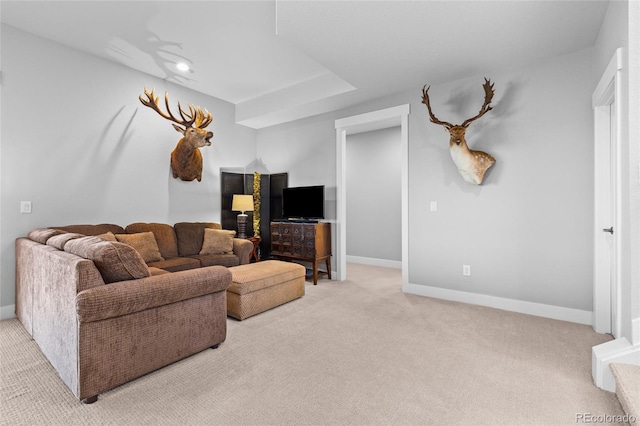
(471, 164)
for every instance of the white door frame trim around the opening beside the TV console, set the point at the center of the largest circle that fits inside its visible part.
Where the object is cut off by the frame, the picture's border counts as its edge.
(376, 120)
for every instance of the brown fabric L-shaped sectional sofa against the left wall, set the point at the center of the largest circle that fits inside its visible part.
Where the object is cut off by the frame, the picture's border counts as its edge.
(103, 316)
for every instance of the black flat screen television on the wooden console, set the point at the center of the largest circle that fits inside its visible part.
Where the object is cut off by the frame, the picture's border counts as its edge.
(303, 202)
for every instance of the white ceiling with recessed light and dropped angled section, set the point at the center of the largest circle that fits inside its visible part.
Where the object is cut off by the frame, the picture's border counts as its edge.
(286, 59)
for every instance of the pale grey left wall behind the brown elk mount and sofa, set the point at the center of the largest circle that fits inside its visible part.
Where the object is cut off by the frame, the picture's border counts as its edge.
(81, 147)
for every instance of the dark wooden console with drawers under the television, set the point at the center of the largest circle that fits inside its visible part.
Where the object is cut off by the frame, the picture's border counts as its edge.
(303, 241)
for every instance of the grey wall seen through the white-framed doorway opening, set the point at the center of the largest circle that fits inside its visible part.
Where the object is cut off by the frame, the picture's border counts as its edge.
(373, 202)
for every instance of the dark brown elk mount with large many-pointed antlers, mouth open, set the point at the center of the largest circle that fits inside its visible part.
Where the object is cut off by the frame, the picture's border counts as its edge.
(186, 159)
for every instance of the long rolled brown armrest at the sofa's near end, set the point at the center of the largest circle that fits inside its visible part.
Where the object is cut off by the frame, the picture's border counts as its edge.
(126, 297)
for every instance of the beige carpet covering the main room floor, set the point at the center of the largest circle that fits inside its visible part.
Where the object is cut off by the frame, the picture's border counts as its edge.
(358, 352)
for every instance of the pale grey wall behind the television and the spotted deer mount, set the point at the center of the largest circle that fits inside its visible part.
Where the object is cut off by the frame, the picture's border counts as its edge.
(527, 231)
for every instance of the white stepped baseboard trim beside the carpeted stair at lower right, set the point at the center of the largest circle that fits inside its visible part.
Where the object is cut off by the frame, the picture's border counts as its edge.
(618, 350)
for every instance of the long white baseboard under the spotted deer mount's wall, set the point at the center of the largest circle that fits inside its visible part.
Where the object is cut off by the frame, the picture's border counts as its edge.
(523, 307)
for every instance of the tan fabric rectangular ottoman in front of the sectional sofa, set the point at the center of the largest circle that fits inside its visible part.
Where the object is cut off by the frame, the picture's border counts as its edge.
(260, 286)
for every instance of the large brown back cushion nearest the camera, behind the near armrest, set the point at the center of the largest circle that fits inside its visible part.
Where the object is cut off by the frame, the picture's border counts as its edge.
(115, 261)
